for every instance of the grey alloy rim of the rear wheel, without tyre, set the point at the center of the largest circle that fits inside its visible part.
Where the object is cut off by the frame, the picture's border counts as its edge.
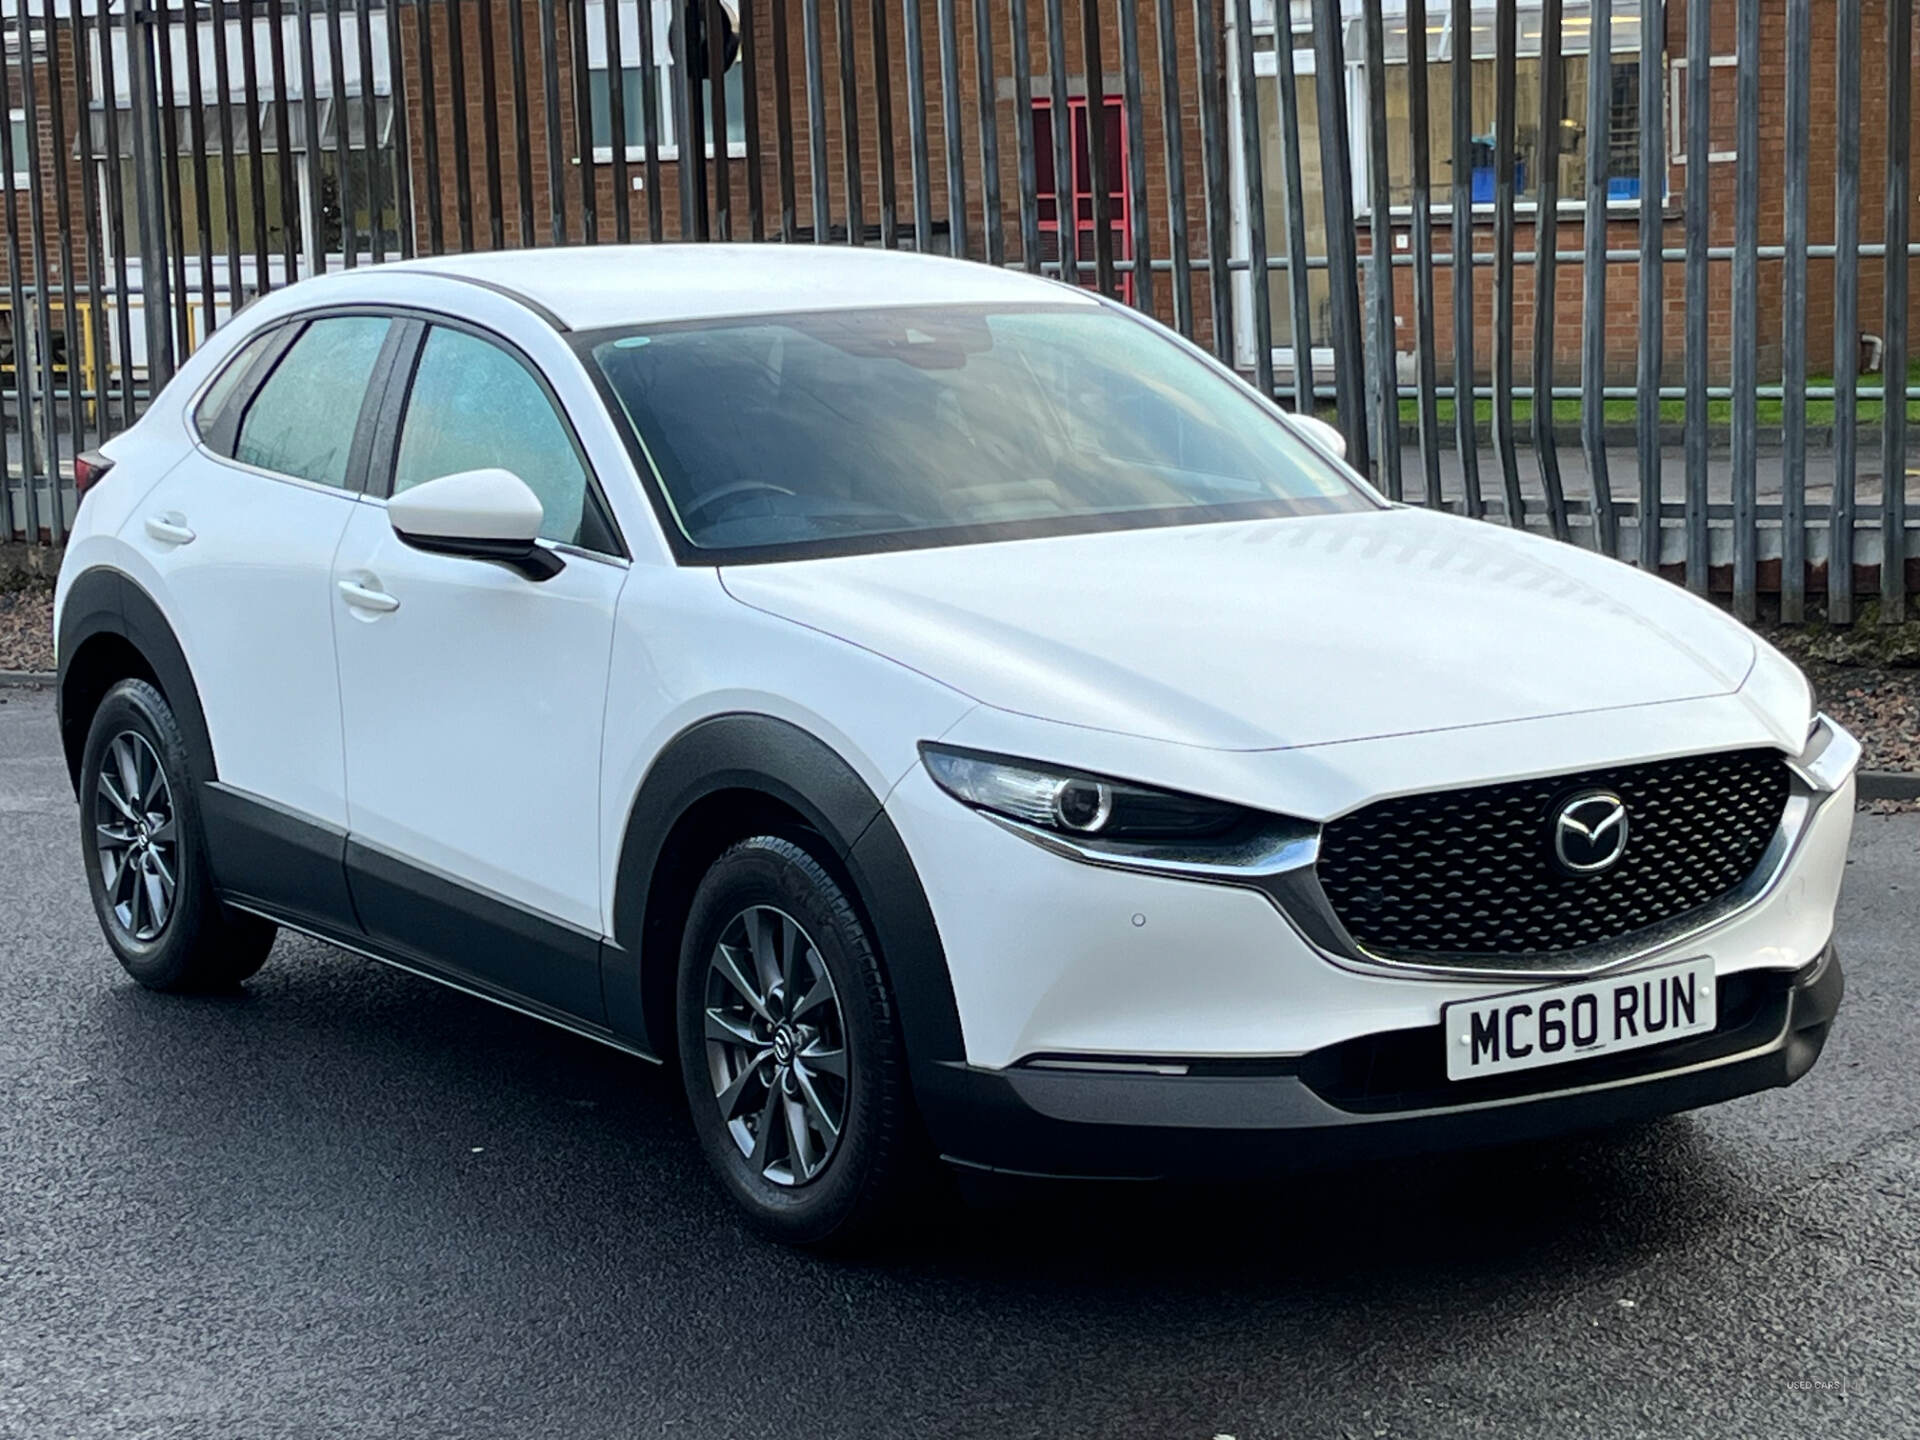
(137, 836)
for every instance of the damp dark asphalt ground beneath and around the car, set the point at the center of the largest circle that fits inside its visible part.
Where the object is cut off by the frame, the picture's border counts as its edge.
(352, 1205)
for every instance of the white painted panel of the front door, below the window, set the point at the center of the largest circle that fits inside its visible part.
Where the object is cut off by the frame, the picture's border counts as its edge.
(473, 715)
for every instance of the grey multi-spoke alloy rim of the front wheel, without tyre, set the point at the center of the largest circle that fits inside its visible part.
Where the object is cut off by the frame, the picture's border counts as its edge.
(777, 1045)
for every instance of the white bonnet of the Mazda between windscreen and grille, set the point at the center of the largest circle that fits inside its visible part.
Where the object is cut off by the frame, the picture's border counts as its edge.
(1276, 633)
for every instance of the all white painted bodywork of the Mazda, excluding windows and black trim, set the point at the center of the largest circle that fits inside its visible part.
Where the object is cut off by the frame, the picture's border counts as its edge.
(498, 731)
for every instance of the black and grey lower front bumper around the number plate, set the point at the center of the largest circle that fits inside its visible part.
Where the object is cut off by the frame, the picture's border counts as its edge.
(1362, 1099)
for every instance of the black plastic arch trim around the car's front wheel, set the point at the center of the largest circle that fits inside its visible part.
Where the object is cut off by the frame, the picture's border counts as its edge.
(734, 777)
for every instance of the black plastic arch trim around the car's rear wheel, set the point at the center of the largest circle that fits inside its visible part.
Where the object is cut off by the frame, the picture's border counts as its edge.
(112, 631)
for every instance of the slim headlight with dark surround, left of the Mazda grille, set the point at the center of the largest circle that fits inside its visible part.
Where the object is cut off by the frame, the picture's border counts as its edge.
(1074, 804)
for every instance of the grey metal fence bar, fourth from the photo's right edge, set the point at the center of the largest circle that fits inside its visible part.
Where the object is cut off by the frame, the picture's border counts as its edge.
(1746, 306)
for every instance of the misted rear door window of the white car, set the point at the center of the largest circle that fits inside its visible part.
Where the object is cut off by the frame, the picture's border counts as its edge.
(302, 421)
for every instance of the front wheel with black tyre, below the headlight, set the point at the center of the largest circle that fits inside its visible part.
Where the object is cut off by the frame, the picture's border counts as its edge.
(876, 1168)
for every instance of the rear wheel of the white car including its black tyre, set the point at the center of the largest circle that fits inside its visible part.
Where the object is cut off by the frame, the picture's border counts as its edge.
(180, 940)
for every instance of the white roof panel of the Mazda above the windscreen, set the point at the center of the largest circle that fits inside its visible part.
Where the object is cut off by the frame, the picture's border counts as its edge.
(592, 287)
